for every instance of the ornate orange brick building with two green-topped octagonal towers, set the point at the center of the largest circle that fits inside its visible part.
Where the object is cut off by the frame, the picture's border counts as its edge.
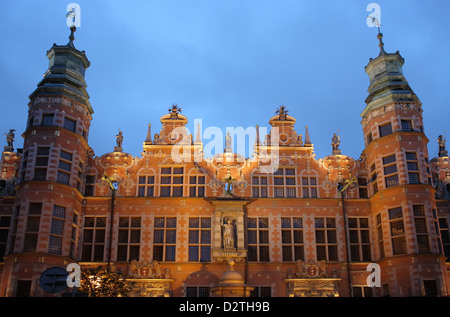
(191, 225)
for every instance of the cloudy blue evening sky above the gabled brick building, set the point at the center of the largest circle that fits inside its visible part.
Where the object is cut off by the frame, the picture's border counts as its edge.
(230, 63)
